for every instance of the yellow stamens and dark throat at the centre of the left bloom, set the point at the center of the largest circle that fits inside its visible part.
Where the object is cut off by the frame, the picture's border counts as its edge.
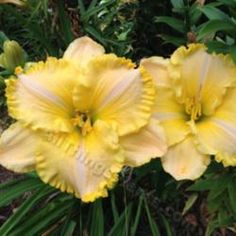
(83, 121)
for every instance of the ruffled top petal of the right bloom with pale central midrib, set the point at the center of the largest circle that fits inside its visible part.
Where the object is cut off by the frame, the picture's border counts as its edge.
(201, 76)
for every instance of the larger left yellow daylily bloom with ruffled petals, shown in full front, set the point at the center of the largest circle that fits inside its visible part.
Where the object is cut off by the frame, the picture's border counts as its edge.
(80, 119)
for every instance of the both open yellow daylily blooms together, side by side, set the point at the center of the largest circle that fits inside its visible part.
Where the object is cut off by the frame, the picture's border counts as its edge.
(83, 117)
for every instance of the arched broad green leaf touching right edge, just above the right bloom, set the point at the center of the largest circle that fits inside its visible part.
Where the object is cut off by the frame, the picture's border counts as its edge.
(213, 26)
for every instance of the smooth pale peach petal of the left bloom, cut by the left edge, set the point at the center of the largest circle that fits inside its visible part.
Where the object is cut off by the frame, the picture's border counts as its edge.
(18, 147)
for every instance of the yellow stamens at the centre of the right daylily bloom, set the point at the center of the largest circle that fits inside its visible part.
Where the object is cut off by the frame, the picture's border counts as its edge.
(193, 108)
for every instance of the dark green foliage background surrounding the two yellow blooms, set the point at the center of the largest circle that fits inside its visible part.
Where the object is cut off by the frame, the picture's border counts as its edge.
(146, 201)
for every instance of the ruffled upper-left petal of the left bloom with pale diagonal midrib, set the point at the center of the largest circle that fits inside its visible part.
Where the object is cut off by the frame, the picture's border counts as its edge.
(42, 96)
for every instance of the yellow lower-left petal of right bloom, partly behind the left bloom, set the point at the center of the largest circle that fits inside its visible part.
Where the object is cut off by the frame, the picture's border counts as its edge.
(171, 115)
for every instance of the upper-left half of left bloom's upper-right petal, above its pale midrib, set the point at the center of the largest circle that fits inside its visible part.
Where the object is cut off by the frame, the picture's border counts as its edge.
(98, 80)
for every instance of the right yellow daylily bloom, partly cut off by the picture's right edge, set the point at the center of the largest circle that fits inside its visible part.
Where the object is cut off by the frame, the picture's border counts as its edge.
(195, 105)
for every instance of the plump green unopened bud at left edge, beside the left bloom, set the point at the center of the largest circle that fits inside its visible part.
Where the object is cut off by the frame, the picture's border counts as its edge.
(13, 55)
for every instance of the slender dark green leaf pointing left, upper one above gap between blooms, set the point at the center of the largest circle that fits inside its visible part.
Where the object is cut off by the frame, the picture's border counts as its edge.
(172, 22)
